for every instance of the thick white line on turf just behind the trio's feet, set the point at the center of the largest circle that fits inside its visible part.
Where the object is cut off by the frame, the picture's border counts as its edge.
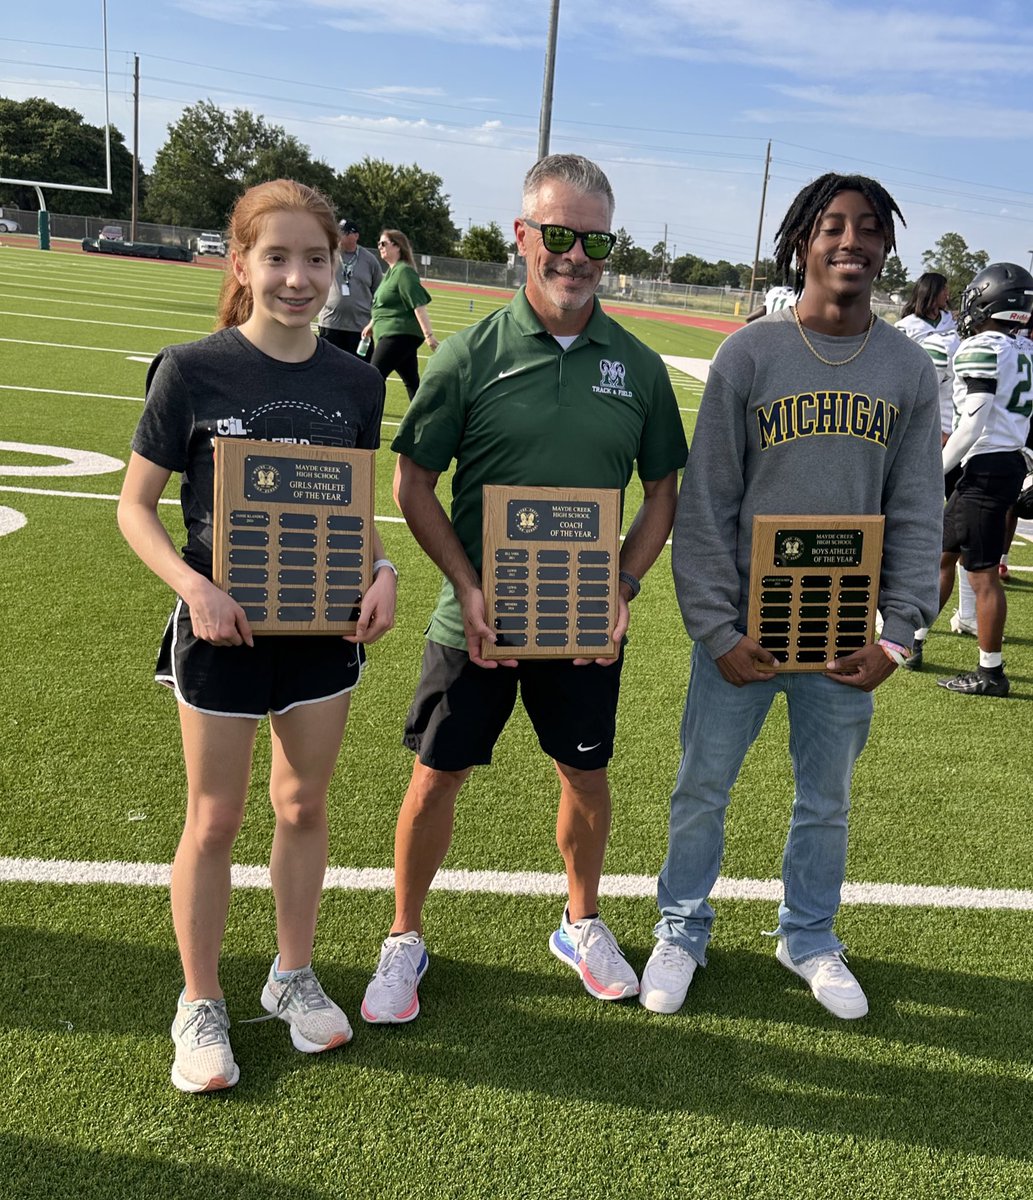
(522, 884)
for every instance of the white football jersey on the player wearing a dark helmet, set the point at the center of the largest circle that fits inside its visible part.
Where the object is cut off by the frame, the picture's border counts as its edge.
(1008, 363)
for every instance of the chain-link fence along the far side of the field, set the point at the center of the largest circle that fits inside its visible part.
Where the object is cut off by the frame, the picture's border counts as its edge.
(725, 302)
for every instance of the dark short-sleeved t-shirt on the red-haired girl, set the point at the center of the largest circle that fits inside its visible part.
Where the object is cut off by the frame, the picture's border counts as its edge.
(225, 387)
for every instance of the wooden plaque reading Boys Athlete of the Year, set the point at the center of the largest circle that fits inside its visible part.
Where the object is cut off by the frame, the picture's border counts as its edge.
(814, 587)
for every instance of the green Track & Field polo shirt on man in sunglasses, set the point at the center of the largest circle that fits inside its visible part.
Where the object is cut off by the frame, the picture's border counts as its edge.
(512, 407)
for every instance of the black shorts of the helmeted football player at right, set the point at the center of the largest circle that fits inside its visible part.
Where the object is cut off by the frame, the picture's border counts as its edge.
(975, 518)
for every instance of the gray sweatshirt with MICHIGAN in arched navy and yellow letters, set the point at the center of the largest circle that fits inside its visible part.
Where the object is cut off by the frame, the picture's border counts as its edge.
(782, 433)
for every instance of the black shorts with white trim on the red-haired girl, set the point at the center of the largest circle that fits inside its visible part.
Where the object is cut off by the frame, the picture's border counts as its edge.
(273, 676)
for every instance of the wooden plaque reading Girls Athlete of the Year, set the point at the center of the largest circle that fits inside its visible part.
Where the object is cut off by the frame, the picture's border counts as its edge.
(293, 533)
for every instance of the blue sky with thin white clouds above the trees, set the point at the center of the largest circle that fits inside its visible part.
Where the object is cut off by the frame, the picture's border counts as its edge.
(677, 99)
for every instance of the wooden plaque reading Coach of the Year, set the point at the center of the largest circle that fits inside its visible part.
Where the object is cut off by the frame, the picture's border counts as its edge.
(550, 572)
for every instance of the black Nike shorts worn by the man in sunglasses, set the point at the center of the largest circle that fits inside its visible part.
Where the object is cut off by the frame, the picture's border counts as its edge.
(460, 710)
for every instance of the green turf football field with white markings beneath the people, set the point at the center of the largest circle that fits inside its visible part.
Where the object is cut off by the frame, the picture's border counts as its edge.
(513, 1083)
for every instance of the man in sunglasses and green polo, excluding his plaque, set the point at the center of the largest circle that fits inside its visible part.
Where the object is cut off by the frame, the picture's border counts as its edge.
(548, 392)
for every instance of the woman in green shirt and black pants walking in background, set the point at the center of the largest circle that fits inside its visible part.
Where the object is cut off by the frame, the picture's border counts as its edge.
(400, 322)
